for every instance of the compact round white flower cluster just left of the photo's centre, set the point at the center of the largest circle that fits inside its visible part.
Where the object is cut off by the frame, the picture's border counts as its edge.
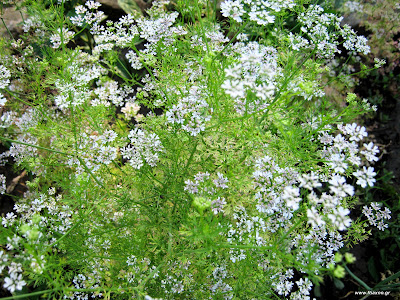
(143, 146)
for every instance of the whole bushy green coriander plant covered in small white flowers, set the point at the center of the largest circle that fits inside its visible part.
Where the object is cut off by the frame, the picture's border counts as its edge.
(184, 152)
